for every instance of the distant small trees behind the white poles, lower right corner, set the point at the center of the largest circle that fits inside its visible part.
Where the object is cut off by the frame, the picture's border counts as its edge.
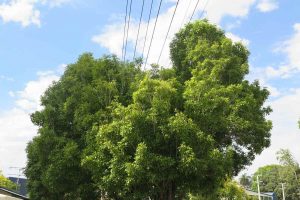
(271, 177)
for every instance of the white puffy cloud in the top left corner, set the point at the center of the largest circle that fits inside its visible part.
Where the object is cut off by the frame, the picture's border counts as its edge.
(25, 12)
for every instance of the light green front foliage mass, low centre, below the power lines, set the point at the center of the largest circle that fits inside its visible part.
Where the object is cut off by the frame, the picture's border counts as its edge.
(154, 150)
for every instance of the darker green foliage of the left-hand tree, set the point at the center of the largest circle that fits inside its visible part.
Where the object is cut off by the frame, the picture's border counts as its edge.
(71, 107)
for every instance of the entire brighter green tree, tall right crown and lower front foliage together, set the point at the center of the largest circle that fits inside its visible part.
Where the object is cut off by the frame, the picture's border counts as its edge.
(186, 132)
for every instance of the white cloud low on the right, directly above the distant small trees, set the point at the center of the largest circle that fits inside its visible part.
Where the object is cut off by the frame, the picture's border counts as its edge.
(285, 133)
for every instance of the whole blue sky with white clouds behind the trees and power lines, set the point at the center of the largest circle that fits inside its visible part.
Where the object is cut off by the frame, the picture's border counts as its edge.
(39, 37)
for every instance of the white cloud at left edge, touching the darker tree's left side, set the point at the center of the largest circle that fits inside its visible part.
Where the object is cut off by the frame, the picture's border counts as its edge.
(16, 129)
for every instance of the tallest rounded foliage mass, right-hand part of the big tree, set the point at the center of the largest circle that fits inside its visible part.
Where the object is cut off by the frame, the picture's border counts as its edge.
(218, 98)
